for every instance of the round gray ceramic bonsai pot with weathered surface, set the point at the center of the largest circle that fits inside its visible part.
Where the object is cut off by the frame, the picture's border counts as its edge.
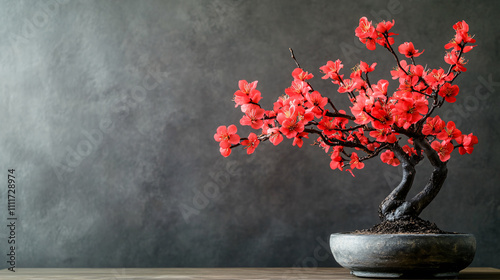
(403, 255)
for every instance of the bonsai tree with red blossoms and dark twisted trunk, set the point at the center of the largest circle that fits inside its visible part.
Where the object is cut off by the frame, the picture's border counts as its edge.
(401, 128)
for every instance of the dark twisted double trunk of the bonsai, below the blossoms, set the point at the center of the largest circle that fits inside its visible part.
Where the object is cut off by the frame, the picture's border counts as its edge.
(395, 206)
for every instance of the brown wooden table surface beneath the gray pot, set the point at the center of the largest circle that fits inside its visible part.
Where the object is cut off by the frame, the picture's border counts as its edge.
(207, 273)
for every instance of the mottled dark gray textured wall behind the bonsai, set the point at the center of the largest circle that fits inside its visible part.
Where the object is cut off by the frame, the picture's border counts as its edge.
(109, 108)
